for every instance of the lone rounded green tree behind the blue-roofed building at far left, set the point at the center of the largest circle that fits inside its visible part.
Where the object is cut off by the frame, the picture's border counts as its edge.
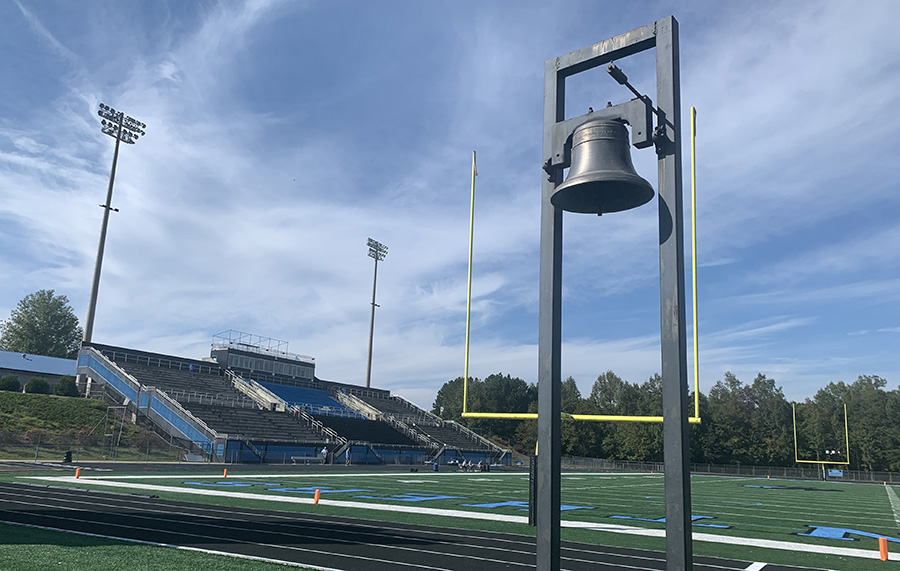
(42, 324)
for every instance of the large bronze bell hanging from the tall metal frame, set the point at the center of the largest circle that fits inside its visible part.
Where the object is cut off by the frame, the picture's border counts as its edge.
(601, 177)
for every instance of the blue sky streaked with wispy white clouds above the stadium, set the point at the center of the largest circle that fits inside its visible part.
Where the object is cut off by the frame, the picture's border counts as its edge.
(281, 135)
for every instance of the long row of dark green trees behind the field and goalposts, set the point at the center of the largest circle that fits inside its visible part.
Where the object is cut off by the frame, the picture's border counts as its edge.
(751, 424)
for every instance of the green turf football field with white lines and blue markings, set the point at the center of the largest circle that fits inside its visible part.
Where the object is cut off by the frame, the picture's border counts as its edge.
(834, 525)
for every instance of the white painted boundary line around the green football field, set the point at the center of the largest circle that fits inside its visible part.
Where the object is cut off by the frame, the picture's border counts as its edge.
(612, 528)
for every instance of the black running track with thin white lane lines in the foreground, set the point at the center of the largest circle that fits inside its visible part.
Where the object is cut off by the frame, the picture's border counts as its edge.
(321, 541)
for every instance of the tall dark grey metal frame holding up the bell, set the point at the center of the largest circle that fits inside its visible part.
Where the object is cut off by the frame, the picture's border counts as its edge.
(666, 138)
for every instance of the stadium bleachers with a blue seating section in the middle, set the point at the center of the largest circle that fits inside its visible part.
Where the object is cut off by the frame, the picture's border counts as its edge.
(315, 417)
